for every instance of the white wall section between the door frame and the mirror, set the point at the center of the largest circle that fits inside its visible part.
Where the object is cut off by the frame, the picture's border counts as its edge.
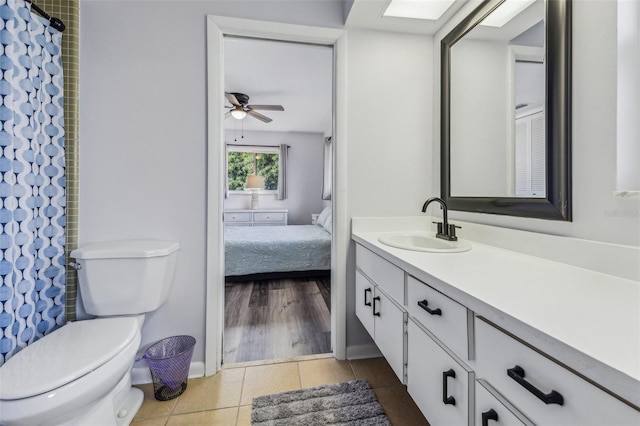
(389, 112)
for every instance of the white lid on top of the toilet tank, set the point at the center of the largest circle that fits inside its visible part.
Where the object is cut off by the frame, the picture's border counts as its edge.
(125, 249)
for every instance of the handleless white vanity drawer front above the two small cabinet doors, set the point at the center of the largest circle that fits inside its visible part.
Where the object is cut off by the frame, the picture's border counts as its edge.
(383, 273)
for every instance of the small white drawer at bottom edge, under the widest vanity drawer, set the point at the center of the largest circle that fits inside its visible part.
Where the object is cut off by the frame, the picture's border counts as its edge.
(493, 409)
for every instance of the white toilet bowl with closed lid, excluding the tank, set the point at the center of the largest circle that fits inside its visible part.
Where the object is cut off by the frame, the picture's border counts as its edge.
(71, 374)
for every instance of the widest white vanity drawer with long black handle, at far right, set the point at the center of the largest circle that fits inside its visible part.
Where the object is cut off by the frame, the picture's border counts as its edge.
(525, 377)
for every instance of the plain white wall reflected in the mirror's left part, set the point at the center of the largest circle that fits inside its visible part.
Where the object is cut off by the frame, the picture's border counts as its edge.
(480, 155)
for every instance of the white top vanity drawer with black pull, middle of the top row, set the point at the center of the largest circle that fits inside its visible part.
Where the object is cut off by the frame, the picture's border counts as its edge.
(444, 317)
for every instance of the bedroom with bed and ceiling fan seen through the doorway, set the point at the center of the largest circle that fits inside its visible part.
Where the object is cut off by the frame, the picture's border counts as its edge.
(277, 206)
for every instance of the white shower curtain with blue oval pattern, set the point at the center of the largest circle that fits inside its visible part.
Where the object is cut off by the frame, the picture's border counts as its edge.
(32, 184)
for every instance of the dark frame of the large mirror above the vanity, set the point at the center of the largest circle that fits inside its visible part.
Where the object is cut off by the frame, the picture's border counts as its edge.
(557, 204)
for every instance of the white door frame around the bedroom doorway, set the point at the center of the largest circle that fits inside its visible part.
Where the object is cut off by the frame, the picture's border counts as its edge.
(217, 28)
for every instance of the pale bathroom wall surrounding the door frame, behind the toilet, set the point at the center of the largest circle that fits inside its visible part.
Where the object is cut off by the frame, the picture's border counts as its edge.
(143, 125)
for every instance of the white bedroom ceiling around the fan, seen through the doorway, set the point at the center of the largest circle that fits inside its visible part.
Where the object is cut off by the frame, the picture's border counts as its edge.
(295, 75)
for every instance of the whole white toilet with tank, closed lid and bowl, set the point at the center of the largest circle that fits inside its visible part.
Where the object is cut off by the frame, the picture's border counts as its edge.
(80, 374)
